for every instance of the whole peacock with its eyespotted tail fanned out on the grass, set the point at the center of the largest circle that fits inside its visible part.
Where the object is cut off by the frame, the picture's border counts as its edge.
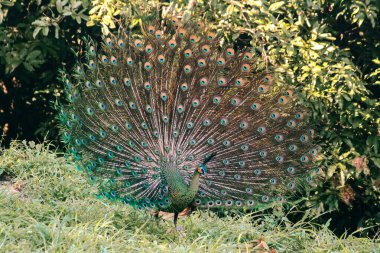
(171, 118)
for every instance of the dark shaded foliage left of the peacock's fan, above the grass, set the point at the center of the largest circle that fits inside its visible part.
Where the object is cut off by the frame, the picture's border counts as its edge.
(36, 39)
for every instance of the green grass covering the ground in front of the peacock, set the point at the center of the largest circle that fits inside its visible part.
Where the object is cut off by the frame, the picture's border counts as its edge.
(47, 206)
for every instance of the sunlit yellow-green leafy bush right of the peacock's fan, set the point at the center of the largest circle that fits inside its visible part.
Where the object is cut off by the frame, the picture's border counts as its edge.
(327, 49)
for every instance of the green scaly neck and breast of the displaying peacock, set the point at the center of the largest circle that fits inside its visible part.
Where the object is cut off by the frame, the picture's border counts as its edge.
(181, 194)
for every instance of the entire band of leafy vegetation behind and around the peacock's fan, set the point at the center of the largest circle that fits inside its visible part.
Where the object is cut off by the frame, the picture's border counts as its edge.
(329, 50)
